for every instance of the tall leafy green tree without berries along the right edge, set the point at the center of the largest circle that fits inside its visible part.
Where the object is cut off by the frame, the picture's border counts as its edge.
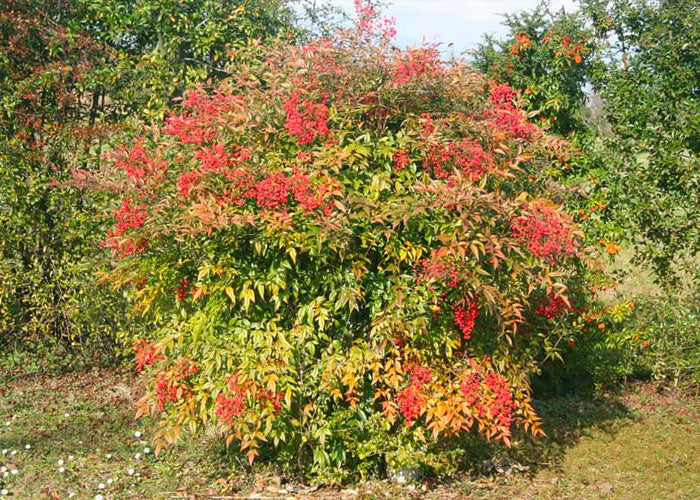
(646, 70)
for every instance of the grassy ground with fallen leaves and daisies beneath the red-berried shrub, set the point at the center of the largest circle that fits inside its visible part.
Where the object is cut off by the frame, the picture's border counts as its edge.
(640, 443)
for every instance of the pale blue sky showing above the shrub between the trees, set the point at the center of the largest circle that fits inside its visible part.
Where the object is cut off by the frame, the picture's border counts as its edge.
(462, 22)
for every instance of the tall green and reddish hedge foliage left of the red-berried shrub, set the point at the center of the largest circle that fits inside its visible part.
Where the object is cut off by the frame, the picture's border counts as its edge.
(71, 72)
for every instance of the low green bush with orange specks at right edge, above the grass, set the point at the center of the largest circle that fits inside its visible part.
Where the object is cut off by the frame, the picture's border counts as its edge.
(646, 338)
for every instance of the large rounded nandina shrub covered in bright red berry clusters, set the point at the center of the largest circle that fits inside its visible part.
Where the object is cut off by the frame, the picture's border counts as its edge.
(352, 254)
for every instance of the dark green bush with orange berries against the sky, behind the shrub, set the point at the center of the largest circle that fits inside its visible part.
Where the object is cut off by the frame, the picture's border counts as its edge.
(545, 55)
